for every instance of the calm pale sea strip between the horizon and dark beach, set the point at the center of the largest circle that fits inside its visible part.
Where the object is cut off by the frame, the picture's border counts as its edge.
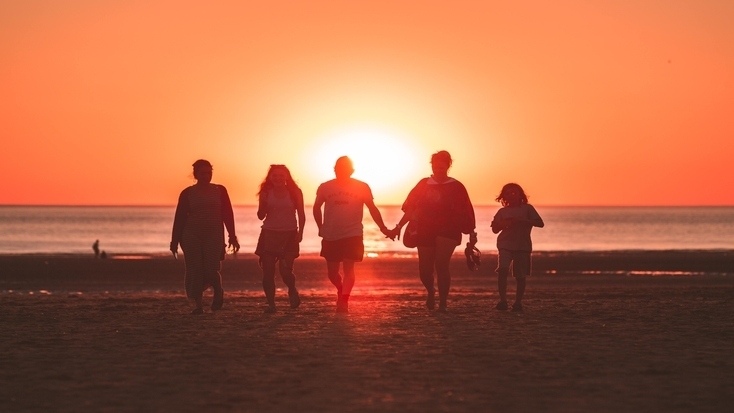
(147, 230)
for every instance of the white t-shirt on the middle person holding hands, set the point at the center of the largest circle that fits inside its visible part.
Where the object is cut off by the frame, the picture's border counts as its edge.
(343, 207)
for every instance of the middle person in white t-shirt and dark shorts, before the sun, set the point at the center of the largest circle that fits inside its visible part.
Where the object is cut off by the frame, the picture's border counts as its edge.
(340, 226)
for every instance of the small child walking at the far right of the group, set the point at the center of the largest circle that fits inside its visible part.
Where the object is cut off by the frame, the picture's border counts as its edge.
(513, 222)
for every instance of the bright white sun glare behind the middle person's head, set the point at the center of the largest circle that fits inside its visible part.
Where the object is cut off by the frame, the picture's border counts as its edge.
(383, 159)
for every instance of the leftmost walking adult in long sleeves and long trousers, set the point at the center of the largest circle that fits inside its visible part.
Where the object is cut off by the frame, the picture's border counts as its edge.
(203, 210)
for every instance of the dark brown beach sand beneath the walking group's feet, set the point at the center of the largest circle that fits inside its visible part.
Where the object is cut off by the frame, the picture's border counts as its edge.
(603, 332)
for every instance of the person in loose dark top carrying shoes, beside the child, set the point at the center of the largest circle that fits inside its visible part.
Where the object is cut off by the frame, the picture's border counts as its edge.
(440, 210)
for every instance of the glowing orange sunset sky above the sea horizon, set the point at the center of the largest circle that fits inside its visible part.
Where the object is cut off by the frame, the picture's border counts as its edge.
(581, 102)
